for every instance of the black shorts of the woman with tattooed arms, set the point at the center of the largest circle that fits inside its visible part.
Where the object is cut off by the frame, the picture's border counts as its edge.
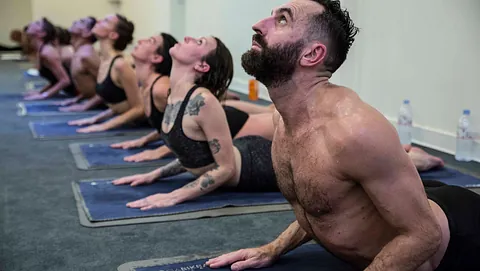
(257, 174)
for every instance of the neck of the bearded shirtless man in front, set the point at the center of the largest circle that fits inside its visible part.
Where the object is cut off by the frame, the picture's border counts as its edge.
(293, 98)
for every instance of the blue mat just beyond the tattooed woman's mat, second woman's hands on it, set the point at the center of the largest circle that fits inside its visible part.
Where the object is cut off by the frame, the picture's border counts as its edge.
(102, 156)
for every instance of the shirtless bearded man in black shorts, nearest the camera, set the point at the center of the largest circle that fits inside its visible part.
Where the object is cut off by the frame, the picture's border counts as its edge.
(340, 163)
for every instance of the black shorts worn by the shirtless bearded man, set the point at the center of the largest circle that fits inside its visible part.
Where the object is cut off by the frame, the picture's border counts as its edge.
(462, 208)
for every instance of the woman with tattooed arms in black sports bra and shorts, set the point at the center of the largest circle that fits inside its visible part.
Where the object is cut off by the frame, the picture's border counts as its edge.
(195, 129)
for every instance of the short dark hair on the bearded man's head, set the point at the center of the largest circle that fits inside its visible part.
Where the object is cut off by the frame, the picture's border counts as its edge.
(334, 26)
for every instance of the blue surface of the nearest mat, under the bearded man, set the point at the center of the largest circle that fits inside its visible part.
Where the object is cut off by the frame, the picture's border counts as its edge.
(307, 257)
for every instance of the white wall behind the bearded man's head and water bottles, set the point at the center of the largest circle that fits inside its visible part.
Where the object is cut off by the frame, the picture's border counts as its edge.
(426, 51)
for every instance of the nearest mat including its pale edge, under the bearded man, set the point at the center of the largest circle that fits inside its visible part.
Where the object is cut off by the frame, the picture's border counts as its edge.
(308, 257)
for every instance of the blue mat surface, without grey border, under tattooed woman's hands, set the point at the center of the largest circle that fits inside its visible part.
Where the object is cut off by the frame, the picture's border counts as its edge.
(104, 201)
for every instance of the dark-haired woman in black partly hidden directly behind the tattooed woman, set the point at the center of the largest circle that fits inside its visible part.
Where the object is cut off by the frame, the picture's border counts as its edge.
(152, 62)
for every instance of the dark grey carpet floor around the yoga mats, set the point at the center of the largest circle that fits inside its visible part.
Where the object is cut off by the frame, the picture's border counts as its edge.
(38, 216)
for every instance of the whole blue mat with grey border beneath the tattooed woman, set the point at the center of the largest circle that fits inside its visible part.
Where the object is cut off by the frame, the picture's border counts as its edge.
(102, 204)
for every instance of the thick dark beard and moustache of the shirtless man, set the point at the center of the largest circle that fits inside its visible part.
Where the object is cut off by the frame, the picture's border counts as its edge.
(272, 66)
